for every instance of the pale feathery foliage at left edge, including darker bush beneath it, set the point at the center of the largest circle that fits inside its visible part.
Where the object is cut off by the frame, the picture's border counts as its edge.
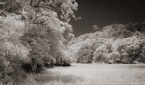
(12, 52)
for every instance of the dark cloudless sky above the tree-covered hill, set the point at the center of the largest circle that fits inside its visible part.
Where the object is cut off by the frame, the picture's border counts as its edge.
(106, 12)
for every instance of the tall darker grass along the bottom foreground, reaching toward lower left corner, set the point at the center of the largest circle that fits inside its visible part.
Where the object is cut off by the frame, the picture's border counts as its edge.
(47, 78)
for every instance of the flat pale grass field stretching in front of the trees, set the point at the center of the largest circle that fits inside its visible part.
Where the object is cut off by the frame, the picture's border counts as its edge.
(96, 74)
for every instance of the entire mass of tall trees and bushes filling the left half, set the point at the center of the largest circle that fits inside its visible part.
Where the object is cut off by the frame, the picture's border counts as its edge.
(33, 34)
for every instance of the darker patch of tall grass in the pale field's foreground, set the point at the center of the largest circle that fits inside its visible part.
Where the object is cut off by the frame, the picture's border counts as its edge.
(53, 77)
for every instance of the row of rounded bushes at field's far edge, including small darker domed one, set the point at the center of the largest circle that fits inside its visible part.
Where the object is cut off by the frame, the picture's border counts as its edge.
(126, 50)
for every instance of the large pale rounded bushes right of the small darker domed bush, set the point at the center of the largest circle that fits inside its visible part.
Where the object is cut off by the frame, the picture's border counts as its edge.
(127, 50)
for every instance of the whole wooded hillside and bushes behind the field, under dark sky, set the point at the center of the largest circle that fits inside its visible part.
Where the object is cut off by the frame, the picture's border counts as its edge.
(115, 43)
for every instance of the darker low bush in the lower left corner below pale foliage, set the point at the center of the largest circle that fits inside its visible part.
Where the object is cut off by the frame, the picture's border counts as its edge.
(10, 68)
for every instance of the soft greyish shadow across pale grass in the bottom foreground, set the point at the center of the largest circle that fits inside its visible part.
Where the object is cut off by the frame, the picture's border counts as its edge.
(47, 76)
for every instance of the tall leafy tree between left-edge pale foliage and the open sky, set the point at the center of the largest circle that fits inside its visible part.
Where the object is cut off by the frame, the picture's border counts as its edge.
(50, 31)
